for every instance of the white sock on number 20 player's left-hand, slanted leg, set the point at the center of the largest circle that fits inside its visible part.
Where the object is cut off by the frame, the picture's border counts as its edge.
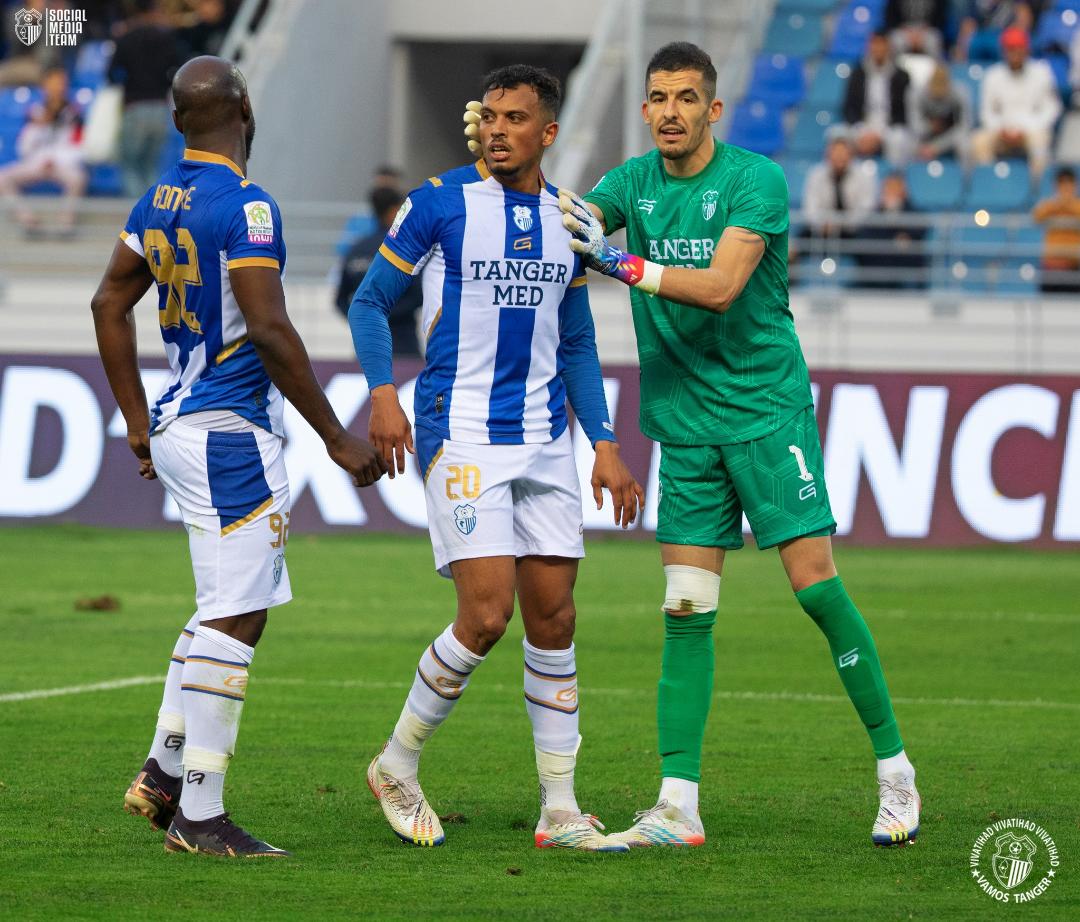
(441, 679)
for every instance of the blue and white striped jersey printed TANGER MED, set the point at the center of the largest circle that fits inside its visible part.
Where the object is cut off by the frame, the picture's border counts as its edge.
(499, 280)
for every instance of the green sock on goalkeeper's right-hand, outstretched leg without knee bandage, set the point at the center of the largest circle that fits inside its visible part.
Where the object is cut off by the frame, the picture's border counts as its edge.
(857, 662)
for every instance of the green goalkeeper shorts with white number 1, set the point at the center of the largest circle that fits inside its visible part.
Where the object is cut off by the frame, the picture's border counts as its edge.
(778, 481)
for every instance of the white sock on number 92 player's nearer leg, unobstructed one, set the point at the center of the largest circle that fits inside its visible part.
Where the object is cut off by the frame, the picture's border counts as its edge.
(214, 686)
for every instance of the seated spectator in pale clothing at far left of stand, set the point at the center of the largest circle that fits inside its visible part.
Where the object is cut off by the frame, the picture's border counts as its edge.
(49, 151)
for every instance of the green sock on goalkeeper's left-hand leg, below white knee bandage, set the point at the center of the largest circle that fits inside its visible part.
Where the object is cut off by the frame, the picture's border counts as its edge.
(686, 693)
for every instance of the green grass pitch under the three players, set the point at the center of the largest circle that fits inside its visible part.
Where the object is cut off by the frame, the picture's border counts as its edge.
(980, 648)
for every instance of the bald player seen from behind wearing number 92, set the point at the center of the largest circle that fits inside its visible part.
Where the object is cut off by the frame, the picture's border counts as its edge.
(212, 241)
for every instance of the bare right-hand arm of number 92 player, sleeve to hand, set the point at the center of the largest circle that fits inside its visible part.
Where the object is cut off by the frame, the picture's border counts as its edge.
(262, 301)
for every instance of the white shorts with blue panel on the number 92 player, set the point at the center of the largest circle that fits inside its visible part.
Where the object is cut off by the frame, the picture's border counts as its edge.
(233, 492)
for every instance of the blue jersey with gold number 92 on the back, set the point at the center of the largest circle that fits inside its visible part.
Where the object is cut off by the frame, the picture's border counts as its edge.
(202, 220)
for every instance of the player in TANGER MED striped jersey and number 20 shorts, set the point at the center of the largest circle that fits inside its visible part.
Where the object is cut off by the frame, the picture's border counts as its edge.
(509, 340)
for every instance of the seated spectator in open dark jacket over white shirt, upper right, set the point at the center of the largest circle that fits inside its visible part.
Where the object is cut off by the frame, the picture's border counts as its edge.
(875, 106)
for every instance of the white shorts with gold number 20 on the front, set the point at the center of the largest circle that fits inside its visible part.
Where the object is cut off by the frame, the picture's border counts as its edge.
(495, 500)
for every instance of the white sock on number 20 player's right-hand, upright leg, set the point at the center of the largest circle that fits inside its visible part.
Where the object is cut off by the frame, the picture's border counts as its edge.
(551, 700)
